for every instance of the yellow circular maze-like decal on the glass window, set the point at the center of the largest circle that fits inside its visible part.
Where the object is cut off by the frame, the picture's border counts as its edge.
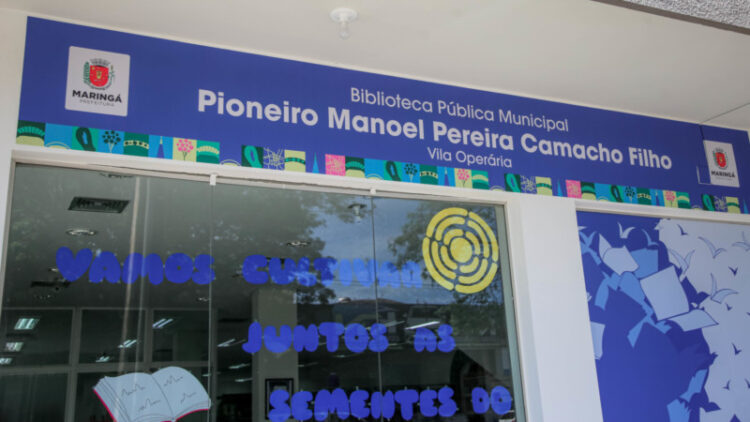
(460, 251)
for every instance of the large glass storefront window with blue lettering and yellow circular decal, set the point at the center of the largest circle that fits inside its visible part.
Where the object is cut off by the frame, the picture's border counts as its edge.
(257, 291)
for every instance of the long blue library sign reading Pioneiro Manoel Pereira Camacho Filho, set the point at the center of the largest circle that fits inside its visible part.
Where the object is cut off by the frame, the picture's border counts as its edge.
(98, 90)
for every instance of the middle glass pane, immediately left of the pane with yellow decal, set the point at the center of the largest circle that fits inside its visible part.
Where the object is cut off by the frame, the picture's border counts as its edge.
(278, 263)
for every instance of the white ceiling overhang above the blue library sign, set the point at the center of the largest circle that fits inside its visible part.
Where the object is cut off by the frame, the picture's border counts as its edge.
(577, 51)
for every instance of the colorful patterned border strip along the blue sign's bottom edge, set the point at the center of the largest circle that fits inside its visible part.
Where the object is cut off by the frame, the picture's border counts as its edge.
(183, 149)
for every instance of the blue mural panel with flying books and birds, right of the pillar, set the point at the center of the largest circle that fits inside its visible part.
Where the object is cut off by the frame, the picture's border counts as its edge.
(669, 303)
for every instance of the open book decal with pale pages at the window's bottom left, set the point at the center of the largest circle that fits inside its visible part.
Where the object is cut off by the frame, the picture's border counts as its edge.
(165, 395)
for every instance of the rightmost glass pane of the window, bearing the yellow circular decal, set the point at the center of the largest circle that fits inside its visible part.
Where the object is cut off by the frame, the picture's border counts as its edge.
(447, 317)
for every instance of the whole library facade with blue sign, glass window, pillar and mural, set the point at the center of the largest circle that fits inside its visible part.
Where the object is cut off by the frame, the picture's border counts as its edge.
(209, 234)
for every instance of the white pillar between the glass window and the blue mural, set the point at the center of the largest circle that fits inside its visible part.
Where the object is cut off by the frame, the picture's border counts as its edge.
(553, 321)
